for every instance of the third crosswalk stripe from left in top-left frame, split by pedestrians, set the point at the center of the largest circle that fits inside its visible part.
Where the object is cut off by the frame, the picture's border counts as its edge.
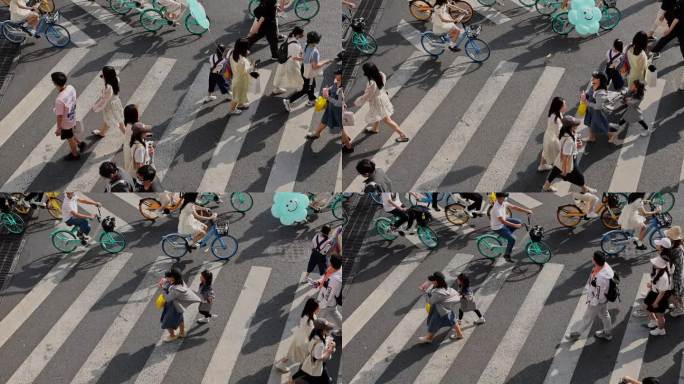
(107, 147)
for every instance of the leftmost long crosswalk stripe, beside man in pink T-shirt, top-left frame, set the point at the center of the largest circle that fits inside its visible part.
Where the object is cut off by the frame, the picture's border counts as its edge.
(35, 97)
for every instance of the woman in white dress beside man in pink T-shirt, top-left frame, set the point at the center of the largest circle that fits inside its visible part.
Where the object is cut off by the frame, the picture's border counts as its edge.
(109, 103)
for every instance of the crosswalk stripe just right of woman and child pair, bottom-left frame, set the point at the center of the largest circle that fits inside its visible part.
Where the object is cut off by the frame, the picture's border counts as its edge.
(226, 353)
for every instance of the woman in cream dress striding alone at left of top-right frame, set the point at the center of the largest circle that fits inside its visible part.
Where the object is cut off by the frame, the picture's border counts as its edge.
(381, 108)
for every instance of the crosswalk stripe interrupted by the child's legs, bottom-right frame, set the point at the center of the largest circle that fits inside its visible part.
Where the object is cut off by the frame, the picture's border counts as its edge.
(443, 358)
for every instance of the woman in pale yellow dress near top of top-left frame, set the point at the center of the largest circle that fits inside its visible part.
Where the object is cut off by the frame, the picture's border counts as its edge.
(288, 75)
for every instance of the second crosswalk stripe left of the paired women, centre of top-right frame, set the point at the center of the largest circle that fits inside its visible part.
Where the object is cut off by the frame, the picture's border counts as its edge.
(464, 130)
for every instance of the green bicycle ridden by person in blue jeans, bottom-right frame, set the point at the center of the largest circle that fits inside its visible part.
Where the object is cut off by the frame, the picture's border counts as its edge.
(492, 246)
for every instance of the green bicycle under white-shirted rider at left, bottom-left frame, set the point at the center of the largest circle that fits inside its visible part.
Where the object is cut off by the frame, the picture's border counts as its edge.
(66, 240)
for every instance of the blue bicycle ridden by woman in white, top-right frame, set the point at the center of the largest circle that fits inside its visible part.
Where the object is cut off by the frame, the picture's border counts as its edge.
(478, 50)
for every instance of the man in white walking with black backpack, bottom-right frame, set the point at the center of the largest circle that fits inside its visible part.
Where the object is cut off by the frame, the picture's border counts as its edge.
(598, 294)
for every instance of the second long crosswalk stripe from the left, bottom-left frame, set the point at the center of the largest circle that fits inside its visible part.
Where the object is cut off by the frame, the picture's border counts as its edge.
(47, 348)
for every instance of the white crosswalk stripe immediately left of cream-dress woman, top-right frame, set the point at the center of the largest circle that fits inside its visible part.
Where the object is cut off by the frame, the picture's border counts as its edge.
(501, 166)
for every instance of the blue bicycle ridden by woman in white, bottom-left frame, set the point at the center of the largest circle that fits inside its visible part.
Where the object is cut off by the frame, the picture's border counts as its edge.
(223, 246)
